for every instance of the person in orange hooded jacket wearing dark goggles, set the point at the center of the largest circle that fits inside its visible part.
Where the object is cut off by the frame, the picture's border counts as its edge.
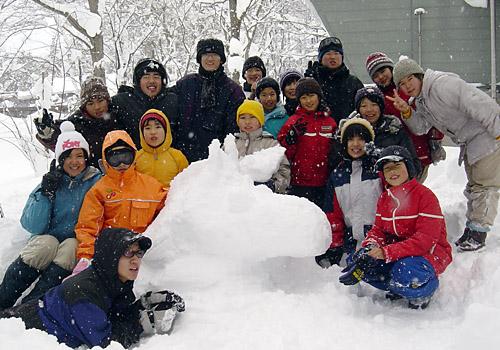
(123, 197)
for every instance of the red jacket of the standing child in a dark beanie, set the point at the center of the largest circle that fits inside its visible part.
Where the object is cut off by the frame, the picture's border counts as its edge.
(309, 156)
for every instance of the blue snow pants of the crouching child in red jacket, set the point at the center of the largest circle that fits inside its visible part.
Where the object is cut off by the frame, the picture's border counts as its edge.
(412, 277)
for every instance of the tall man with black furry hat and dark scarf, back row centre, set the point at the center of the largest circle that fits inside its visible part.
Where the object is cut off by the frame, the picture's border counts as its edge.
(208, 101)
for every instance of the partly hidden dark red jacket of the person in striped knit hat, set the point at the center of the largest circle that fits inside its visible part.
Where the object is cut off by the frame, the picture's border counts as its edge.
(421, 142)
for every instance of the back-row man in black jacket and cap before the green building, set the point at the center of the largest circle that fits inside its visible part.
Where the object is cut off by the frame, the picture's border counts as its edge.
(338, 85)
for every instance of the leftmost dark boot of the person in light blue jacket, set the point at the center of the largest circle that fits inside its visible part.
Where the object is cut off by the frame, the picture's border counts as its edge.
(18, 277)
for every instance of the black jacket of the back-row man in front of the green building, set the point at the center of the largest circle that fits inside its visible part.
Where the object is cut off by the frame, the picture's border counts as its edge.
(339, 89)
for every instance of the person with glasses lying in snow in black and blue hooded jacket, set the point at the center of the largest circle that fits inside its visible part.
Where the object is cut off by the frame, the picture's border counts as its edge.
(98, 305)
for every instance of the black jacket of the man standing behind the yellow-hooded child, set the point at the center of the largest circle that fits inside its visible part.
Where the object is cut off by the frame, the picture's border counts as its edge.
(132, 103)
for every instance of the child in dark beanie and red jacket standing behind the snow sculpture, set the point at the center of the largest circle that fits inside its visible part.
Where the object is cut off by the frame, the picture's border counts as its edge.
(307, 136)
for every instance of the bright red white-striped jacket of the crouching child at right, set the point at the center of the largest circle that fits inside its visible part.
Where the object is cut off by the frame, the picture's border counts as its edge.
(409, 222)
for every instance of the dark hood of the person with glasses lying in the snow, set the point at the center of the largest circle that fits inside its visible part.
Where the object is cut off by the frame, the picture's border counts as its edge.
(109, 247)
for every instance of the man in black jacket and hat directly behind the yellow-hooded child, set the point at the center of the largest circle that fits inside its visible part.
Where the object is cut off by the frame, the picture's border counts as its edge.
(149, 91)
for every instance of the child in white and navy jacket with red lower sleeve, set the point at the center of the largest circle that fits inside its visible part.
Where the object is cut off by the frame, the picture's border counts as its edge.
(352, 192)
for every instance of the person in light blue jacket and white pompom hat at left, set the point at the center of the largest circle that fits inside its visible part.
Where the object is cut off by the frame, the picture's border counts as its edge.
(50, 215)
